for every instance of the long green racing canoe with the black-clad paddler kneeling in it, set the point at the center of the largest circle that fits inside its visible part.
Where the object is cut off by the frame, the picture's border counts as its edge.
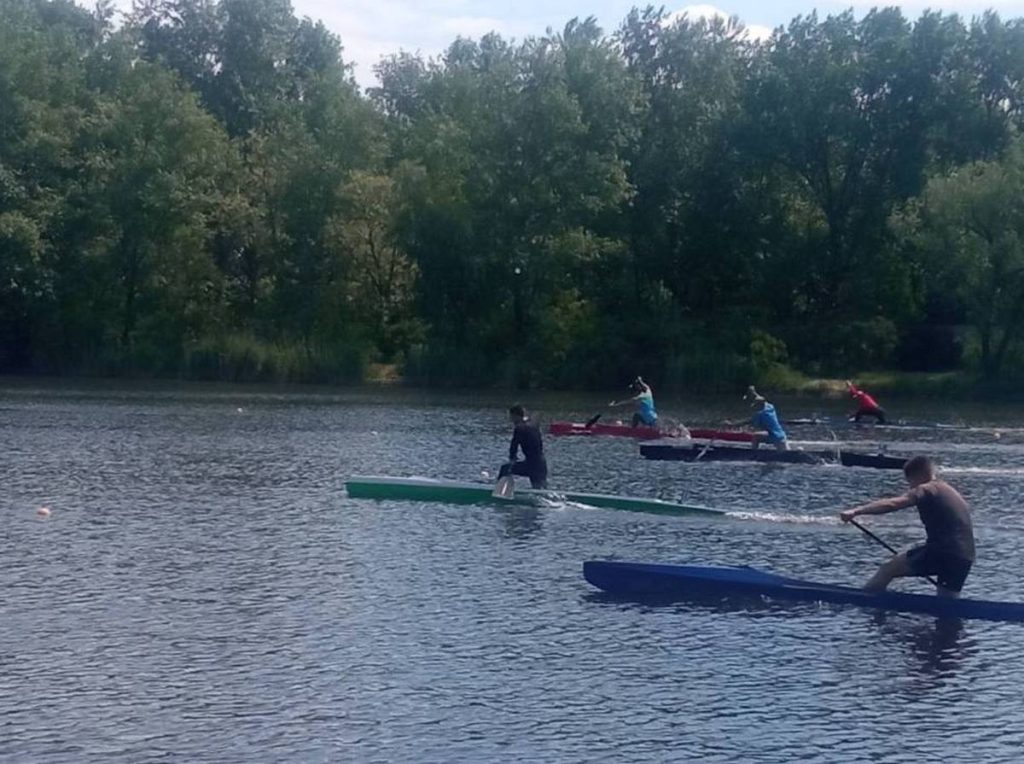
(451, 492)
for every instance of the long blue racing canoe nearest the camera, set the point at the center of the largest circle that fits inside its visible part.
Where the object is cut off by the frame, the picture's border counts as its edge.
(679, 582)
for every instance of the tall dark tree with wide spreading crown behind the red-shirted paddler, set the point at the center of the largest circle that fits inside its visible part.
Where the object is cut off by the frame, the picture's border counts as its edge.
(854, 114)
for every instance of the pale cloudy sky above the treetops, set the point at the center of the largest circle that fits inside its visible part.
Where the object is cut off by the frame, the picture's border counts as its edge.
(371, 29)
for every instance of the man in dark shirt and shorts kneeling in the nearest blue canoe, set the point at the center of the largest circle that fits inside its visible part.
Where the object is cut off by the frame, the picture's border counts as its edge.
(949, 553)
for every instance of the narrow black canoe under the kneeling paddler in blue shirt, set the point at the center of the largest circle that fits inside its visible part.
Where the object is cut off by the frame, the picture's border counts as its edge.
(685, 451)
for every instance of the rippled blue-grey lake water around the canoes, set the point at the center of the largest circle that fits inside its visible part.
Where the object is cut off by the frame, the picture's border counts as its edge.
(204, 591)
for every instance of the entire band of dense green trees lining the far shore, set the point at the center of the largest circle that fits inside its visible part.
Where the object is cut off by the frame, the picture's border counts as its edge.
(204, 191)
